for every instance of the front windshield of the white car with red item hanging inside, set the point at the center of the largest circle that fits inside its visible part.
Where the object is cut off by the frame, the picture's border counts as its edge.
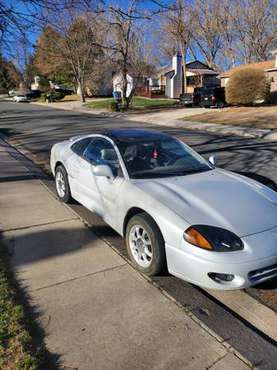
(160, 158)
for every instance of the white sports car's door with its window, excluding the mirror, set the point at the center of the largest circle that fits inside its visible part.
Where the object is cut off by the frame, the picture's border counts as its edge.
(101, 151)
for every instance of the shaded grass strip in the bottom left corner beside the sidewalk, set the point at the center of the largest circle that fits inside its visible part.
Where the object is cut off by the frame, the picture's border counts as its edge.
(18, 349)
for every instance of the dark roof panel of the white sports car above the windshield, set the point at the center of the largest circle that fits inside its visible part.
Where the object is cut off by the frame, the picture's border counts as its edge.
(135, 134)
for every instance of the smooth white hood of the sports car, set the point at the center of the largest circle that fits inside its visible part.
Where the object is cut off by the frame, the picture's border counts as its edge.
(217, 198)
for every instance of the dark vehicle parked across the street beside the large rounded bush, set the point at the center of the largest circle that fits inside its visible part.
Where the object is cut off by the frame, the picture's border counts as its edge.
(213, 97)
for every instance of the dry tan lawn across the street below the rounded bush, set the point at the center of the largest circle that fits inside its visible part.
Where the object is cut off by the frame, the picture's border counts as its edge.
(258, 117)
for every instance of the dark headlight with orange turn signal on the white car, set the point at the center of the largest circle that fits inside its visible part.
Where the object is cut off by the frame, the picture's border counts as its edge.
(213, 238)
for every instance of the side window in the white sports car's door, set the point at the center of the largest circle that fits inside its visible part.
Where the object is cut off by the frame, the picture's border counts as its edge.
(101, 151)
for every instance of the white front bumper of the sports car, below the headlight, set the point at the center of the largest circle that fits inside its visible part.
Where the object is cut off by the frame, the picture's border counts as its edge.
(197, 269)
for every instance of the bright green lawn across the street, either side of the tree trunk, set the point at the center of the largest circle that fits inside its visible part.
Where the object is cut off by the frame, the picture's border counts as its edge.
(137, 103)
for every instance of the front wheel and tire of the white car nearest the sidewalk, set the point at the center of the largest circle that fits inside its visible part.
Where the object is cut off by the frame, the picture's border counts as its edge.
(145, 244)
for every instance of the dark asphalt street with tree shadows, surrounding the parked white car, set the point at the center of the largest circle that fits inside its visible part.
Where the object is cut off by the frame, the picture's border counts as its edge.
(37, 128)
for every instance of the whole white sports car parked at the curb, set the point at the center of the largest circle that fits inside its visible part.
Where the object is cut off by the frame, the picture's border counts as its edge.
(211, 227)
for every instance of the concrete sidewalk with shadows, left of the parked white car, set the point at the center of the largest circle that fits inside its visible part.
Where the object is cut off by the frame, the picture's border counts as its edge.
(97, 311)
